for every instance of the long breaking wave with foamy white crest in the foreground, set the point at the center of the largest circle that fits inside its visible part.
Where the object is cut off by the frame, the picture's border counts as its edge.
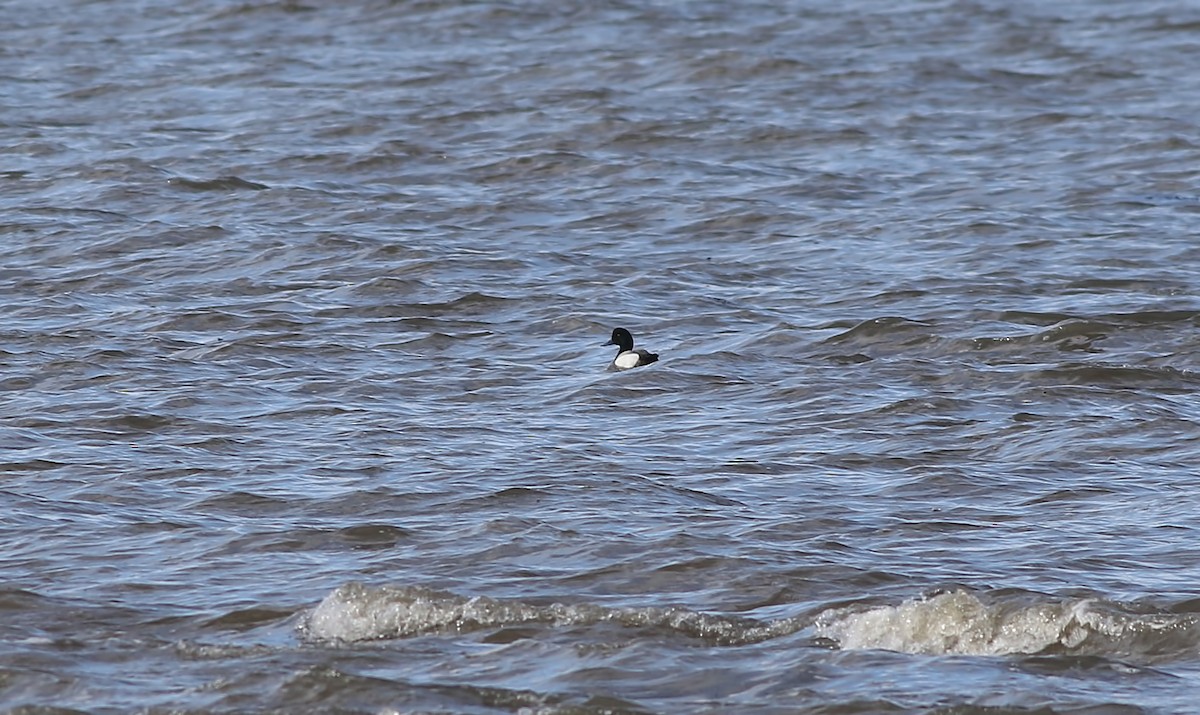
(951, 623)
